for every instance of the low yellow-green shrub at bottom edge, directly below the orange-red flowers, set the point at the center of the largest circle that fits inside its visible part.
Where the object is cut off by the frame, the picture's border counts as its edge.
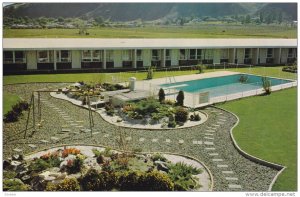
(70, 184)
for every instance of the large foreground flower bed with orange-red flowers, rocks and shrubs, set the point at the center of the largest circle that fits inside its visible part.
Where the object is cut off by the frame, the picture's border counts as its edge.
(98, 169)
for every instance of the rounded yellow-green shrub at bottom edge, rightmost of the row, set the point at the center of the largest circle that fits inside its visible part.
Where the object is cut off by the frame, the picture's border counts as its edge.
(155, 181)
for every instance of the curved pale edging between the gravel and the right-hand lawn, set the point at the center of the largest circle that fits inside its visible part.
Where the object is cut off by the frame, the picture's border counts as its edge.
(279, 167)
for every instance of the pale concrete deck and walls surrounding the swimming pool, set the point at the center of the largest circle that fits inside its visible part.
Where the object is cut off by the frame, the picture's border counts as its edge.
(195, 100)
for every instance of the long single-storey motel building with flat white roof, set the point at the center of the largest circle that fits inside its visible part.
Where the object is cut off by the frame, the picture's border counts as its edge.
(62, 55)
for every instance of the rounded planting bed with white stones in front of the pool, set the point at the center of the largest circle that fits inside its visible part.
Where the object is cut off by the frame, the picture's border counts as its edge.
(152, 114)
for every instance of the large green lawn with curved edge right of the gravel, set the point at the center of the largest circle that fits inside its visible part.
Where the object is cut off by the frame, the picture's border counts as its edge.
(268, 130)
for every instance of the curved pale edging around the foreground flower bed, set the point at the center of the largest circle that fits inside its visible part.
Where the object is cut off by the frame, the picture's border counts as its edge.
(103, 146)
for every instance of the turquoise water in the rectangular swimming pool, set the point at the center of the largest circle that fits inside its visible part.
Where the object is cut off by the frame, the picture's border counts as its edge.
(219, 86)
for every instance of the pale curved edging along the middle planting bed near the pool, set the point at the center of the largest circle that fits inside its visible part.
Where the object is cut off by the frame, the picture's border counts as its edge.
(113, 123)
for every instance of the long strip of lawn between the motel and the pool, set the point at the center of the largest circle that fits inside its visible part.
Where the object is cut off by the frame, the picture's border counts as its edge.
(107, 77)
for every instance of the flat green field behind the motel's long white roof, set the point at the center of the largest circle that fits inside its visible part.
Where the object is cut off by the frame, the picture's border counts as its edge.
(200, 31)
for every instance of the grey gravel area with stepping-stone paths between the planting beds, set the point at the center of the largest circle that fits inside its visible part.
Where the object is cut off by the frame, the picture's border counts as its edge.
(209, 142)
